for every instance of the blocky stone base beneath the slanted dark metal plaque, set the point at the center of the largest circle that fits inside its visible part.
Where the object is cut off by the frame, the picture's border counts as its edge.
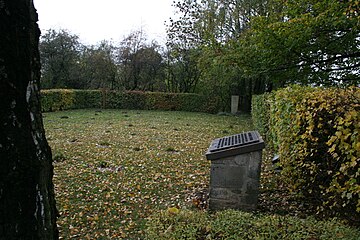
(234, 182)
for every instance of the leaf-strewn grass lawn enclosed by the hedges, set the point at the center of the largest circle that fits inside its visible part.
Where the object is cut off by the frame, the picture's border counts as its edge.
(114, 168)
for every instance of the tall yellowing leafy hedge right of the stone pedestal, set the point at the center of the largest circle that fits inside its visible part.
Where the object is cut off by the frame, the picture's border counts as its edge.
(316, 132)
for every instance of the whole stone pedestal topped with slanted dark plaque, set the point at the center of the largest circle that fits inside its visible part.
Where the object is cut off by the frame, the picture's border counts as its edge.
(235, 171)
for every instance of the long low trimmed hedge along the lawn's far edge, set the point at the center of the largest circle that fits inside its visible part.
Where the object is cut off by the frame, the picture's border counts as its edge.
(63, 99)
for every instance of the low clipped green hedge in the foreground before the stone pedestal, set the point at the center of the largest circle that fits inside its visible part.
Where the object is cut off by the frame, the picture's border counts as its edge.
(231, 224)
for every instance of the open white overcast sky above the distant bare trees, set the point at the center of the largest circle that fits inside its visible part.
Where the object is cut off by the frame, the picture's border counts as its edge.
(96, 20)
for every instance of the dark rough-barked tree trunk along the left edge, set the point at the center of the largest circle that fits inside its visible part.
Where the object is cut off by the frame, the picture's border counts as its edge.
(27, 200)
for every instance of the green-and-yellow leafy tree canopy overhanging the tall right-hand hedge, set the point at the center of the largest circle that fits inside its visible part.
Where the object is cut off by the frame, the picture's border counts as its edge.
(308, 42)
